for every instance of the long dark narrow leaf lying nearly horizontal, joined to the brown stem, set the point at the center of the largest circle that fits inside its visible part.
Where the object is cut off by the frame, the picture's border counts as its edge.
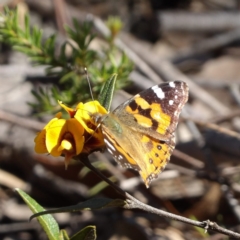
(91, 204)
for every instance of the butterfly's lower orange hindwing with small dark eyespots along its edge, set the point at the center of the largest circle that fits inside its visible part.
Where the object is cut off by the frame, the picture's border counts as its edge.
(140, 152)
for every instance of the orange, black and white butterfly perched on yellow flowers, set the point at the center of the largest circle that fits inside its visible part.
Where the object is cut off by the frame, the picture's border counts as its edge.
(139, 133)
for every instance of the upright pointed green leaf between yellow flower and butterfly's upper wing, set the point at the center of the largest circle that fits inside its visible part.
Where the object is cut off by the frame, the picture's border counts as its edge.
(106, 95)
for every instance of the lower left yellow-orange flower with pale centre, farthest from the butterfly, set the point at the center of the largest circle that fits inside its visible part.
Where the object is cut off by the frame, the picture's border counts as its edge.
(61, 136)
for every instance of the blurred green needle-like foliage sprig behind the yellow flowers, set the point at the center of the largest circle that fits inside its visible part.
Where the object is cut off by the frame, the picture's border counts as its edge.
(66, 63)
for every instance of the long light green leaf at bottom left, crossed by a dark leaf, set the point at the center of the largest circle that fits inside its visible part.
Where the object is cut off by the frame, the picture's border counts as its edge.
(48, 223)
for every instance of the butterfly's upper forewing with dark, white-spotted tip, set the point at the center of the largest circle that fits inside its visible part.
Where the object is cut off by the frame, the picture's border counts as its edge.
(155, 111)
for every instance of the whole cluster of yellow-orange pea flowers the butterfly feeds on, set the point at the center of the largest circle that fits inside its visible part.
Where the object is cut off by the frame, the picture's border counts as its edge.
(70, 137)
